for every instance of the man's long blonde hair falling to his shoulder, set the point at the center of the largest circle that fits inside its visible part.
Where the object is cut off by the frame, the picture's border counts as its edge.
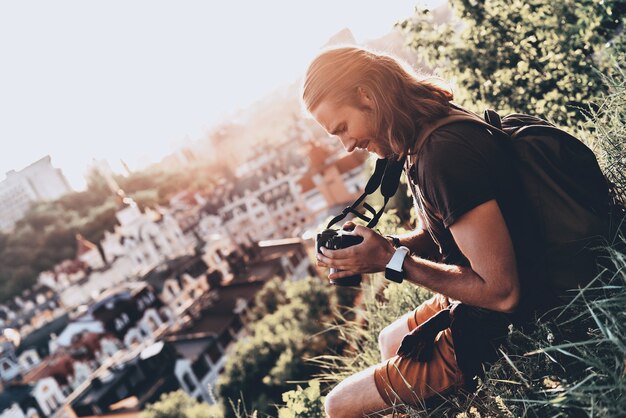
(402, 103)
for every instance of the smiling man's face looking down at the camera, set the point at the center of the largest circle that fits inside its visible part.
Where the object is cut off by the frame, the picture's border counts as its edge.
(354, 126)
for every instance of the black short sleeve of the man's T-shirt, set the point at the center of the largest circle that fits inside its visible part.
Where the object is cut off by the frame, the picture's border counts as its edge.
(455, 171)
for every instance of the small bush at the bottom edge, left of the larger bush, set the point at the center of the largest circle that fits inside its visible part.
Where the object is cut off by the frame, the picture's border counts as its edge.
(177, 405)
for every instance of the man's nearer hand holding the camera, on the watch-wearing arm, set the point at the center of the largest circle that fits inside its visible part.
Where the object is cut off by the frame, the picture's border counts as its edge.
(370, 256)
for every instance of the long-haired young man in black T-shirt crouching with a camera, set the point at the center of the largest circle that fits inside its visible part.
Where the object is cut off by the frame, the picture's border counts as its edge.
(475, 245)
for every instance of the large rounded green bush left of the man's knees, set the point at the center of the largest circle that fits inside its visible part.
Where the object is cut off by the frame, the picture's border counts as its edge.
(274, 355)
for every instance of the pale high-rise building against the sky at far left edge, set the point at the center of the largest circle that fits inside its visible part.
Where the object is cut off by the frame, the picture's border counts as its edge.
(20, 189)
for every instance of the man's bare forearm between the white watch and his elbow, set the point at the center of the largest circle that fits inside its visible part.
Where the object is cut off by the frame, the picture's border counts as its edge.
(461, 283)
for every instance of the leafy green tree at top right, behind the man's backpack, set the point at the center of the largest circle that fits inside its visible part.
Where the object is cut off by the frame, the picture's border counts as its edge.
(537, 57)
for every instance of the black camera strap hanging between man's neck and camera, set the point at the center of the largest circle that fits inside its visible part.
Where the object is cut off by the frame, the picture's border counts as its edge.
(386, 176)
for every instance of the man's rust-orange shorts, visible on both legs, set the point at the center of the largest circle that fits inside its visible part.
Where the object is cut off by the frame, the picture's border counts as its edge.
(408, 381)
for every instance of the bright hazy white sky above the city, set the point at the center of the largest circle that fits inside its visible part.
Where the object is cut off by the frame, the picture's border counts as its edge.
(134, 79)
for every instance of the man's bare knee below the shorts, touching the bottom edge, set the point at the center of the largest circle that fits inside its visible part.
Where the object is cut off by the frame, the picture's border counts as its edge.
(355, 397)
